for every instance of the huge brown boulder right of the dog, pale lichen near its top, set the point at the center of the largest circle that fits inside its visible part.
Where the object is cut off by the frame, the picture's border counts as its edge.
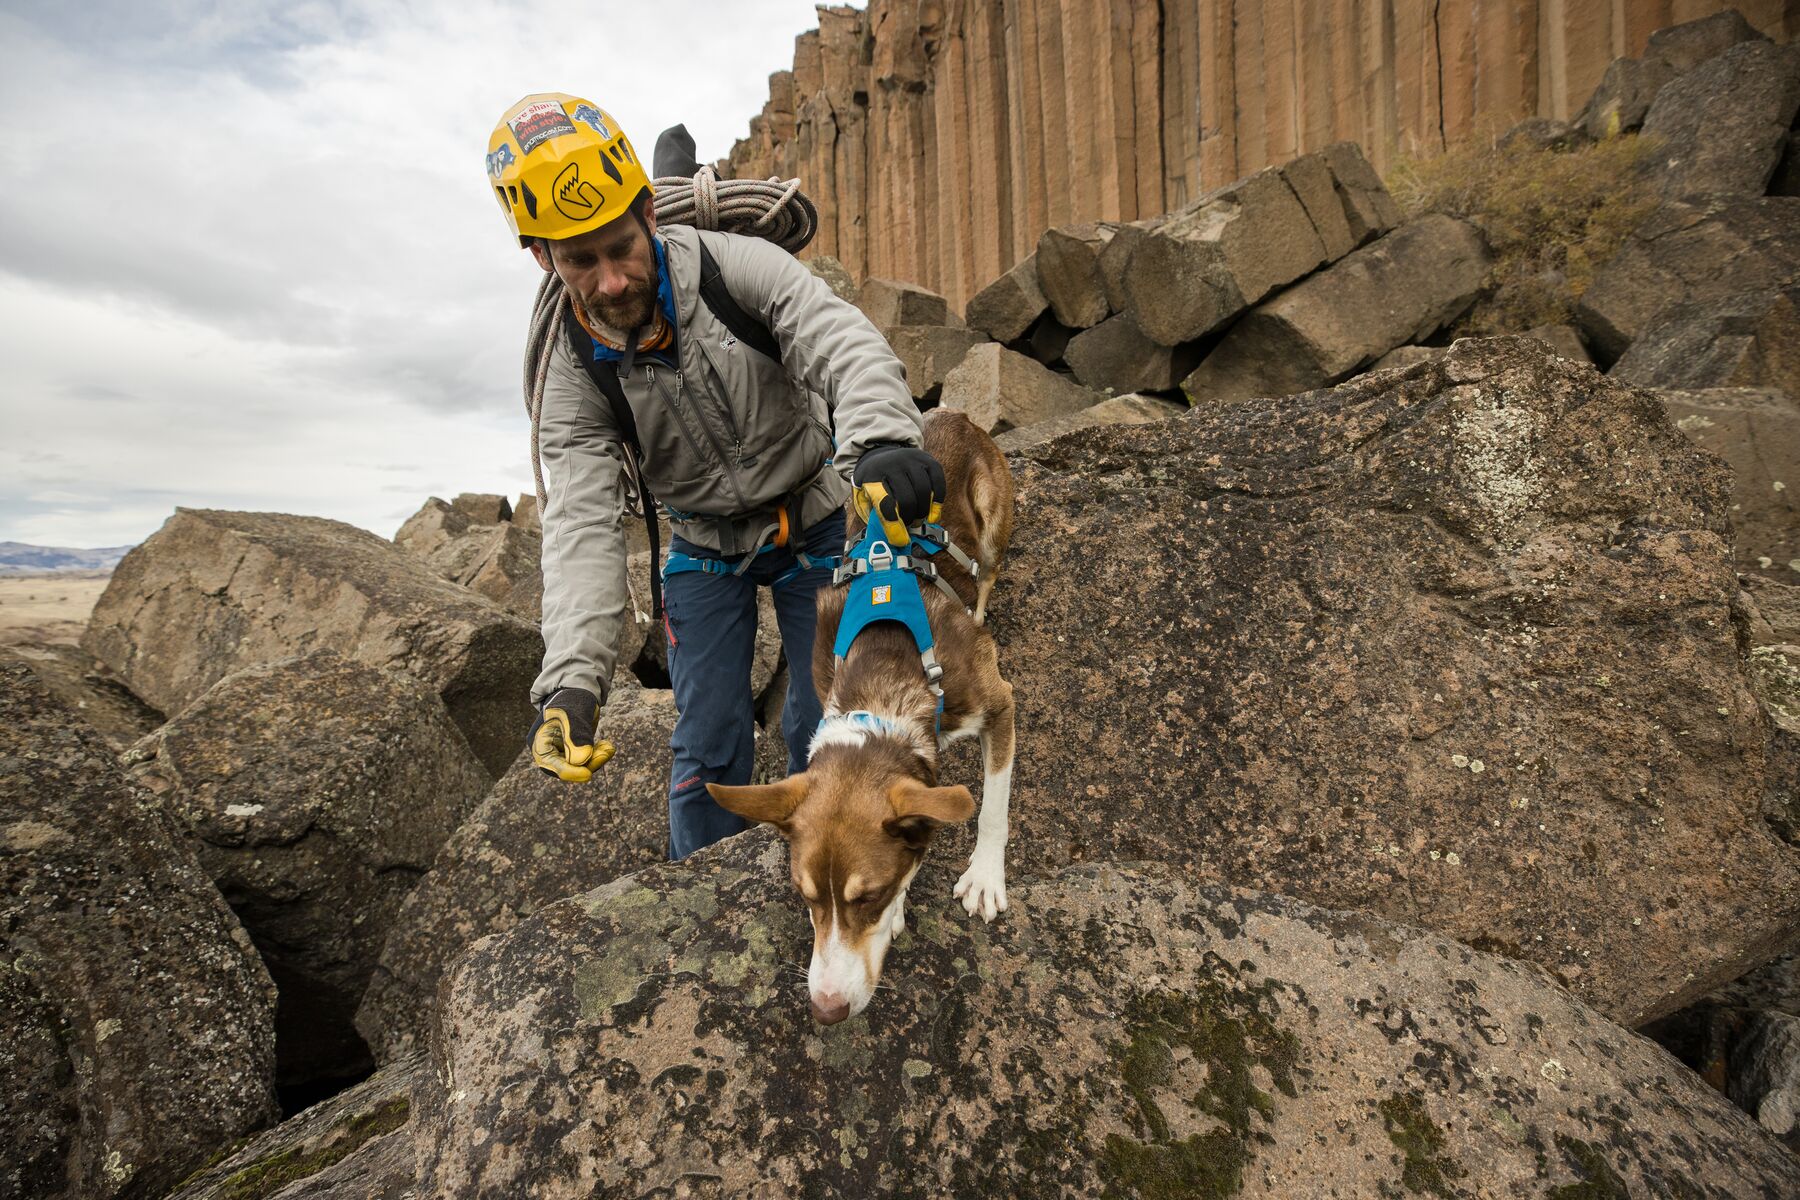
(1452, 643)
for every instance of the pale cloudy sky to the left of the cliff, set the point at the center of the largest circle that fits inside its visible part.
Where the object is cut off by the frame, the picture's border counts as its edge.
(249, 258)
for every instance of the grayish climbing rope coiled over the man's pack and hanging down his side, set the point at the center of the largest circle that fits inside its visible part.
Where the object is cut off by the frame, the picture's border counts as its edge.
(771, 210)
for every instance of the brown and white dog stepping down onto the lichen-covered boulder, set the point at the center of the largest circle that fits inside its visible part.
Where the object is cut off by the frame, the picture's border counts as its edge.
(861, 816)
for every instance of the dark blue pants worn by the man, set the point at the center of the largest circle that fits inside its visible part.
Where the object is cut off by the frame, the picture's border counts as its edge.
(712, 631)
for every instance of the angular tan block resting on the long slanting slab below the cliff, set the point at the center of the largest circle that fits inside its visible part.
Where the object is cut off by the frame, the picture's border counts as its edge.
(1205, 265)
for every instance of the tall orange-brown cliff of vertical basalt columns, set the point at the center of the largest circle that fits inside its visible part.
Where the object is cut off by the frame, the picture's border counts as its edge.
(942, 139)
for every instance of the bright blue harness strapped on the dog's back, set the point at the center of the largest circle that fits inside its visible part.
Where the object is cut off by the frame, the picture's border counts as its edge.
(885, 571)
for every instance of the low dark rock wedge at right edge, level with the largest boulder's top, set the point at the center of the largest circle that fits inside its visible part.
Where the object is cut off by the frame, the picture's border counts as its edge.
(1745, 341)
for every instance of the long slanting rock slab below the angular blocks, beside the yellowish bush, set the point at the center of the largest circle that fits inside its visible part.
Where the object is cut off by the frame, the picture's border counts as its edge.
(1396, 291)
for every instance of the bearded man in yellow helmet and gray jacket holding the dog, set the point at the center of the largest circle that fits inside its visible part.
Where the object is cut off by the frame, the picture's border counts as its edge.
(733, 445)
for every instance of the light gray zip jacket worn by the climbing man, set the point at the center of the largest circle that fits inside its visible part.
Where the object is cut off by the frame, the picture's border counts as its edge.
(730, 434)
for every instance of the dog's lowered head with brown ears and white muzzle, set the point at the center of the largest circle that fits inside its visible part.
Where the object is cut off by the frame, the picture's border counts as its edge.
(856, 839)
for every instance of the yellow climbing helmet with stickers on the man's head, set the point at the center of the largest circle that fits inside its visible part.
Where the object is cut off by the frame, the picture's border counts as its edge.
(561, 166)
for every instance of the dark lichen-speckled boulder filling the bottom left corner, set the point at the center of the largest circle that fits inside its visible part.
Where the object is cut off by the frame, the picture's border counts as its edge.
(129, 992)
